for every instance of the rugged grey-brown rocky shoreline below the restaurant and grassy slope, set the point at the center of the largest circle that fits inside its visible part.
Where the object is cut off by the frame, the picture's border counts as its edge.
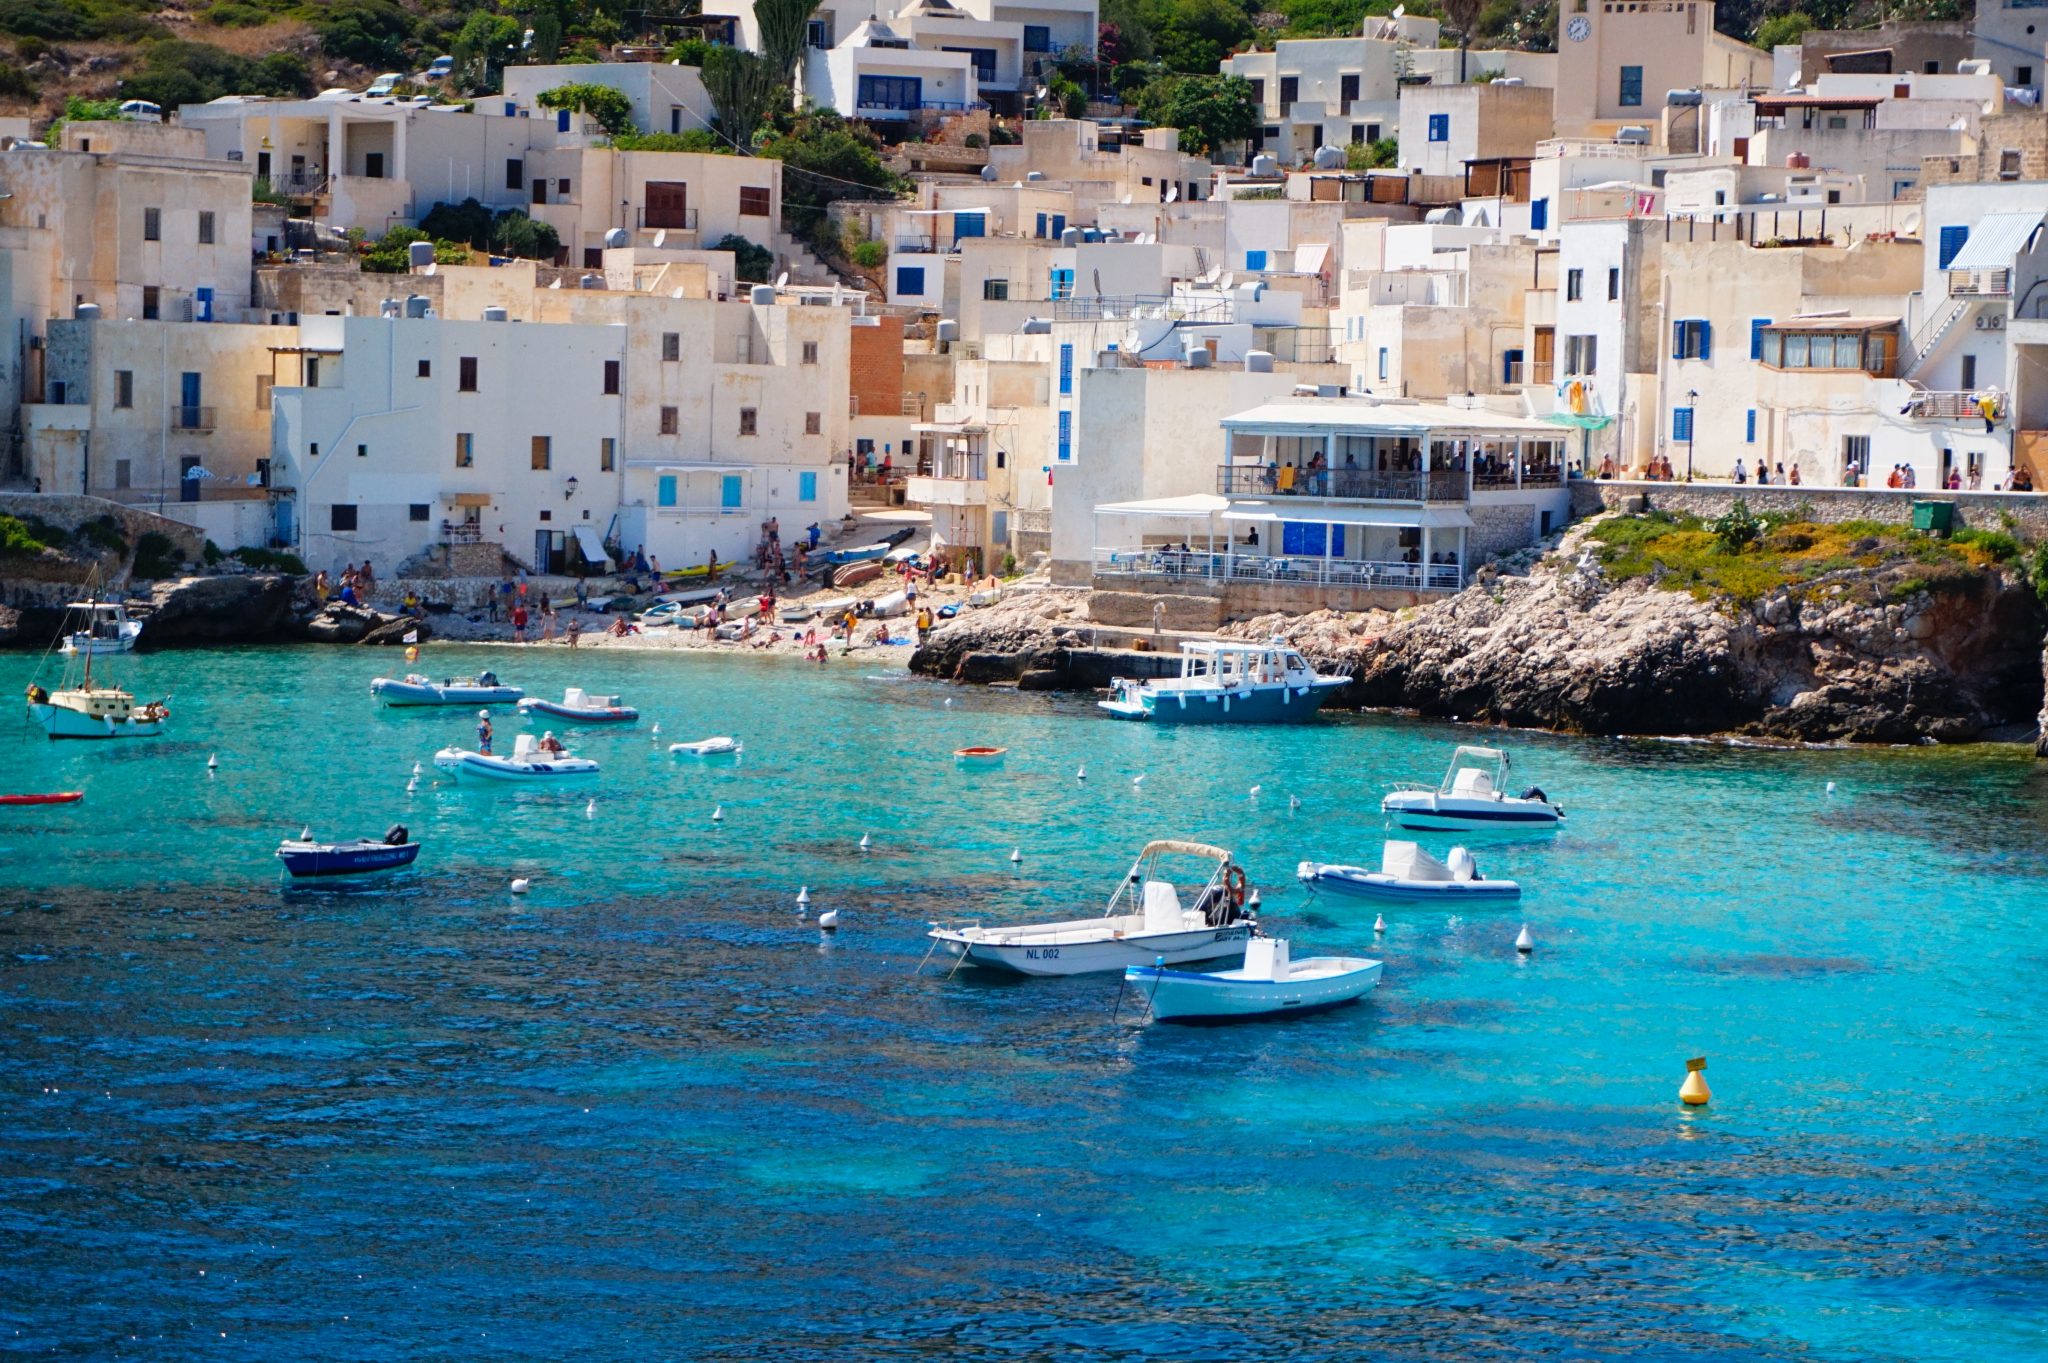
(1865, 656)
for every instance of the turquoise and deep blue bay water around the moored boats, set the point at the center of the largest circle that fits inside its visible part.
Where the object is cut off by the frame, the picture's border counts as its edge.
(648, 1112)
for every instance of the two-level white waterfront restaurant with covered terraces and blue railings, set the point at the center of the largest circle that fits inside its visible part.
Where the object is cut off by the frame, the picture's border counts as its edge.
(1351, 492)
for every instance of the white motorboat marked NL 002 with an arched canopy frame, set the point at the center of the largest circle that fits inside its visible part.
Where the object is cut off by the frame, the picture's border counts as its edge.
(1146, 922)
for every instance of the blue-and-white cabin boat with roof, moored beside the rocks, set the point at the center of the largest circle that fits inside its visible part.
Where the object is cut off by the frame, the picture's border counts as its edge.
(1226, 683)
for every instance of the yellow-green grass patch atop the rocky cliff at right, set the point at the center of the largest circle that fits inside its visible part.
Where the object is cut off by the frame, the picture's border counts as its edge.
(1754, 558)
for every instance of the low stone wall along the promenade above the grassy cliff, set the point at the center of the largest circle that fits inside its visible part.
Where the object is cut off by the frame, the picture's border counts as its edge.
(2029, 513)
